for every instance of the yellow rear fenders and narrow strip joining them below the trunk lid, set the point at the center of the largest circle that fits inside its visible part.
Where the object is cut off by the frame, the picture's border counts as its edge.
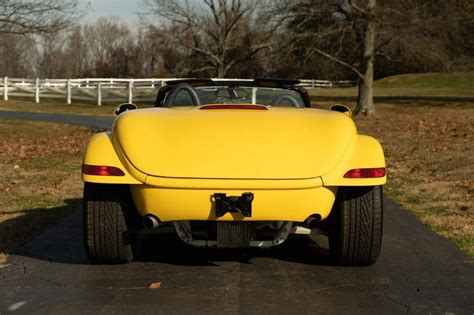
(363, 153)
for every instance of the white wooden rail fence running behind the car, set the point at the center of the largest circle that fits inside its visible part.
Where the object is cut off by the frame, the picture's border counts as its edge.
(111, 90)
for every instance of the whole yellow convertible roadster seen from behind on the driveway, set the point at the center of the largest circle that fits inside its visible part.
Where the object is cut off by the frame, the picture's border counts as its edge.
(233, 164)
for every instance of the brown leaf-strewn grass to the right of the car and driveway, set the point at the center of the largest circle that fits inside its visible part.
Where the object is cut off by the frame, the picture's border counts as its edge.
(430, 164)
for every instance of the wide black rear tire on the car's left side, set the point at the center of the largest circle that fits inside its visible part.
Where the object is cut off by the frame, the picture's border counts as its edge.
(106, 212)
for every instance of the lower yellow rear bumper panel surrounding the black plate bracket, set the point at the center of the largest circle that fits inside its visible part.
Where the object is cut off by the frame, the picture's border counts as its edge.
(172, 204)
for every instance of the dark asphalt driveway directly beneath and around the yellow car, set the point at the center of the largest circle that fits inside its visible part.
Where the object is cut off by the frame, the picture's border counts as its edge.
(418, 272)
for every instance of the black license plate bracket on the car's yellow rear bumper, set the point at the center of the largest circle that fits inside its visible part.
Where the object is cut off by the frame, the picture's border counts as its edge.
(233, 204)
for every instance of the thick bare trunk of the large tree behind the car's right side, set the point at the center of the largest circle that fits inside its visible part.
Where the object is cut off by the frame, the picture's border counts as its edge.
(365, 98)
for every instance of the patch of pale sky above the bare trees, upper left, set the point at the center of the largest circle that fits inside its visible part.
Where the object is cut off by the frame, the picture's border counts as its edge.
(125, 9)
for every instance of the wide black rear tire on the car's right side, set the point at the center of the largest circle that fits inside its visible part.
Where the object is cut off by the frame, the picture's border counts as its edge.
(356, 226)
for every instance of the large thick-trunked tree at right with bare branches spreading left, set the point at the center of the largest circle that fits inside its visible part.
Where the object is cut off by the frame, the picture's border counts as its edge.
(325, 27)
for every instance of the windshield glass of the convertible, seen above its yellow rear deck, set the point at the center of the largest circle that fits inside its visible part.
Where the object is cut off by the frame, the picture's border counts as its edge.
(240, 95)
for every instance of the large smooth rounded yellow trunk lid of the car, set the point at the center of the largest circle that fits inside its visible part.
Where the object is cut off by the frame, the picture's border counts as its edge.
(279, 143)
